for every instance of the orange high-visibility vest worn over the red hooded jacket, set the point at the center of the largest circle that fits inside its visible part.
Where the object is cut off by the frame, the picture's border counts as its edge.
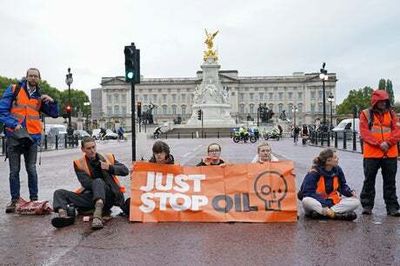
(380, 131)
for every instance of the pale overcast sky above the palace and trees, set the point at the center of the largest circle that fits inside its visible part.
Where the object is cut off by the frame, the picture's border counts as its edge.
(358, 40)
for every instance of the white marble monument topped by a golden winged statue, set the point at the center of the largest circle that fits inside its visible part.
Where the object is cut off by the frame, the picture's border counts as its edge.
(210, 96)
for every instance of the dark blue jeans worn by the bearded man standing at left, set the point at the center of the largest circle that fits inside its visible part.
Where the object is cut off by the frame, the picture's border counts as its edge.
(14, 158)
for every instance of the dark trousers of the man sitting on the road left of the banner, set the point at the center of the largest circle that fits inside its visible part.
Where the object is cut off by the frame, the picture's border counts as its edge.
(86, 200)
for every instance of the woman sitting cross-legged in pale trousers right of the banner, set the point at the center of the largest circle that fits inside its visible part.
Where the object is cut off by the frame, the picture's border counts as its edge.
(324, 192)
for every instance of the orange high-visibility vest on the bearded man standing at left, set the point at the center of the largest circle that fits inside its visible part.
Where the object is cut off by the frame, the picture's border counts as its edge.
(25, 108)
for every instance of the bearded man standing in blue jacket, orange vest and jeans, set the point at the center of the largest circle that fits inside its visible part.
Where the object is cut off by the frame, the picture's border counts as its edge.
(20, 108)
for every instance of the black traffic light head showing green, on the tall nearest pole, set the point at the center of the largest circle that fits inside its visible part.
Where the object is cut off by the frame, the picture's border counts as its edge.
(132, 63)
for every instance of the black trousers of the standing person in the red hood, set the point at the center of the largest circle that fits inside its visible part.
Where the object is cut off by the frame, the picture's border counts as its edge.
(389, 169)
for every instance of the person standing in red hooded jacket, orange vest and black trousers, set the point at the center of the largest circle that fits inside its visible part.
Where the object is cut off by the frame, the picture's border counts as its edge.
(380, 134)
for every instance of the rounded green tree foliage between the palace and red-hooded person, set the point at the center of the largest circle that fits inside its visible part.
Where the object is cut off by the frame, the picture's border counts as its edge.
(360, 98)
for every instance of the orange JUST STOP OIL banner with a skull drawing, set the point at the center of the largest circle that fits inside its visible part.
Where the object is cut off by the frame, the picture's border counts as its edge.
(238, 192)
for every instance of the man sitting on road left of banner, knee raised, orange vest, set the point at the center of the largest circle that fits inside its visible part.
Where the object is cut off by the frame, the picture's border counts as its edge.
(100, 190)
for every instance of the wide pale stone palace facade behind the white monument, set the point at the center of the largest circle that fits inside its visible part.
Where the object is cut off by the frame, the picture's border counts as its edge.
(173, 97)
